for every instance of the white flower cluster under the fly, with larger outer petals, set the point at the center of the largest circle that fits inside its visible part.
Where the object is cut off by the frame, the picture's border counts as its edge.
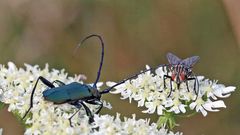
(148, 90)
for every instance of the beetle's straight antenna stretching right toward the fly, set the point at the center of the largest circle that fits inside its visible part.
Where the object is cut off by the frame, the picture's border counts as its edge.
(129, 78)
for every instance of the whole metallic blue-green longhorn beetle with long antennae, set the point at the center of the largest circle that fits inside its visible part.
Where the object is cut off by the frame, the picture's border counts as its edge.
(75, 93)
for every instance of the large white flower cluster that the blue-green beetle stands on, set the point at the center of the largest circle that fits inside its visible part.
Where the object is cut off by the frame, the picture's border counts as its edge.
(47, 118)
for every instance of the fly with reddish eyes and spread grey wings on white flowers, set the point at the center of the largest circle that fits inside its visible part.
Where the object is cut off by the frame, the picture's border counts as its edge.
(181, 71)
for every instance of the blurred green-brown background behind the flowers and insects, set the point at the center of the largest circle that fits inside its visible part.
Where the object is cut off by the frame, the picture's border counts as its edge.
(136, 33)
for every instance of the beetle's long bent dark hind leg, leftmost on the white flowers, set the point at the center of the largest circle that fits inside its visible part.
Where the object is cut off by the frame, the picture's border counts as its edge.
(43, 80)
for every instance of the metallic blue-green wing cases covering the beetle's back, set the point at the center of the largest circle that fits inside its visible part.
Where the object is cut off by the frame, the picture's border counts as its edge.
(69, 92)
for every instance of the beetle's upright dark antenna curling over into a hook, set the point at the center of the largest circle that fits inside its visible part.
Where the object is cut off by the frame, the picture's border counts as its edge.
(102, 55)
